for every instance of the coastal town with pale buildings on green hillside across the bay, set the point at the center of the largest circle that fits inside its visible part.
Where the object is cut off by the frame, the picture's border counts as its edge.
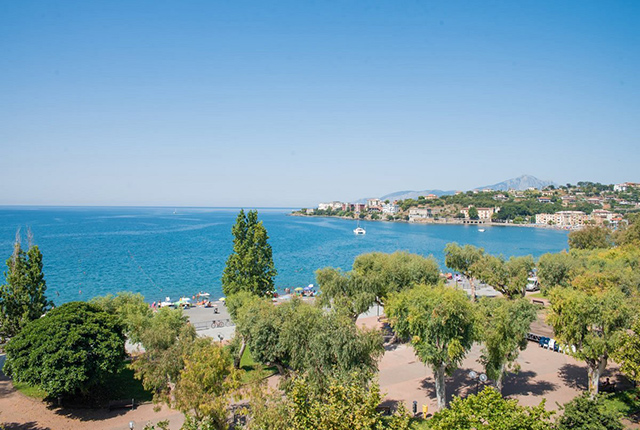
(565, 207)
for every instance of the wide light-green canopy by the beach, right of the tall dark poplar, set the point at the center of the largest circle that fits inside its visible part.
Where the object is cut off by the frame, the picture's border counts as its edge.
(373, 277)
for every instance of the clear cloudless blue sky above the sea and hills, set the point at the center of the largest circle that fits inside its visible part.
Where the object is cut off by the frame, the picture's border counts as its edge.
(240, 103)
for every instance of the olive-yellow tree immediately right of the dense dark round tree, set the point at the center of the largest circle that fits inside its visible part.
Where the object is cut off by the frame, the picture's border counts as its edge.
(166, 339)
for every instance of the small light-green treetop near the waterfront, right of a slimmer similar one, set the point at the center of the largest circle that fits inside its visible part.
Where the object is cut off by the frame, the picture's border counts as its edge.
(507, 276)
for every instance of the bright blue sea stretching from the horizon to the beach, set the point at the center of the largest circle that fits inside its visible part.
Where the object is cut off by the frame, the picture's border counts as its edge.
(90, 251)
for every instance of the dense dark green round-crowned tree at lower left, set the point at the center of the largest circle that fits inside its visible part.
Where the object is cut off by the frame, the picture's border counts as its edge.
(70, 351)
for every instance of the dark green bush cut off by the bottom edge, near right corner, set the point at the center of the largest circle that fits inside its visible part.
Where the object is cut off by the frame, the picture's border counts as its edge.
(585, 413)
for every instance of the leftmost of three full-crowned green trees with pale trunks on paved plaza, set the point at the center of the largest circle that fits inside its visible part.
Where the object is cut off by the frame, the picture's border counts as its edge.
(442, 325)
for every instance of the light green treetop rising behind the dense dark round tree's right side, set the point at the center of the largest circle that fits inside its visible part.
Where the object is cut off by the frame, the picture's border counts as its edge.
(130, 309)
